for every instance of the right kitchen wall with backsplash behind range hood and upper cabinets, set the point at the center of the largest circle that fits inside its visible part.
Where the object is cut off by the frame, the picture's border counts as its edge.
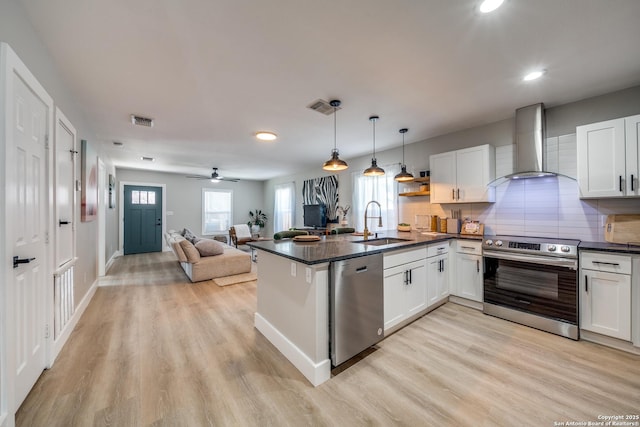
(538, 207)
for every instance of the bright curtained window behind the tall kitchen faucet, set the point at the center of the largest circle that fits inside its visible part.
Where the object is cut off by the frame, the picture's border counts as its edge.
(383, 190)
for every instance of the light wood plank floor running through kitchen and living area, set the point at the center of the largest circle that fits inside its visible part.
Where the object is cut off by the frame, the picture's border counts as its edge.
(155, 350)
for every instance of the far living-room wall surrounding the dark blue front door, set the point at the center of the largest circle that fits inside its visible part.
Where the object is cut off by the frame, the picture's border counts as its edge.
(184, 197)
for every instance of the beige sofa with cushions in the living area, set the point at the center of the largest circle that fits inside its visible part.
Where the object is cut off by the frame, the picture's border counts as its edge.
(232, 261)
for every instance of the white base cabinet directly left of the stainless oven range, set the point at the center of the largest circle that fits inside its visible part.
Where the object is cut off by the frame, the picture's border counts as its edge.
(469, 271)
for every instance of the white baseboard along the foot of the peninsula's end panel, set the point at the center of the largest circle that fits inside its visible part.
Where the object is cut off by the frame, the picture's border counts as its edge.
(316, 373)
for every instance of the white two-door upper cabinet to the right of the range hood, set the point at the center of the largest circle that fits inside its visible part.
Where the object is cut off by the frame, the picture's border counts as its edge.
(609, 158)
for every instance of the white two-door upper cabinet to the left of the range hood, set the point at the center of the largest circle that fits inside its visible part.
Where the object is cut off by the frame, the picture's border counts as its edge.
(462, 176)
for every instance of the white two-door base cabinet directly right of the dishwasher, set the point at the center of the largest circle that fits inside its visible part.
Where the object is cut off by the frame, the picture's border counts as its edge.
(405, 285)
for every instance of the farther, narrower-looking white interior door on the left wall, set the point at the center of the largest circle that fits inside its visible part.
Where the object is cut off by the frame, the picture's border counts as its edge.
(65, 195)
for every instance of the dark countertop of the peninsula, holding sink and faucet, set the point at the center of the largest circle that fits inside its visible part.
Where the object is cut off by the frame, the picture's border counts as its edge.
(343, 246)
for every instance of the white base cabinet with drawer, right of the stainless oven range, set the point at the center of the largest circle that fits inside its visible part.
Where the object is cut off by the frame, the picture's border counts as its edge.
(605, 294)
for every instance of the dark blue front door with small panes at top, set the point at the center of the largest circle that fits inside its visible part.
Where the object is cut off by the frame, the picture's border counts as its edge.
(142, 219)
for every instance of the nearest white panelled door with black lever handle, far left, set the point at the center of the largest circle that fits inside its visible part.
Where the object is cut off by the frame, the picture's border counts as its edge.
(29, 118)
